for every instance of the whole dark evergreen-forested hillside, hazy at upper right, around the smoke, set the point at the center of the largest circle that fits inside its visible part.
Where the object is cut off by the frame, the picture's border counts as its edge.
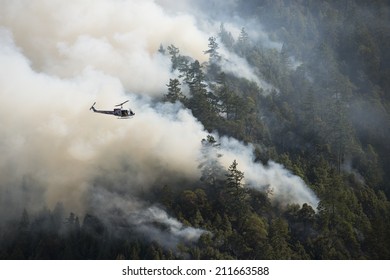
(319, 105)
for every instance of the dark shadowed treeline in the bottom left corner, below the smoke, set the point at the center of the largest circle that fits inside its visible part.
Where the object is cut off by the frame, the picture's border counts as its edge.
(43, 239)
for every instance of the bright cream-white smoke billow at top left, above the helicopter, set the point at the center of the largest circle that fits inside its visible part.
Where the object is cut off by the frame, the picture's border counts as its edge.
(119, 38)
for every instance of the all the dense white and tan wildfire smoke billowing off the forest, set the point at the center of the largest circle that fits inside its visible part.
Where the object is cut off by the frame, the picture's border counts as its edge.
(57, 58)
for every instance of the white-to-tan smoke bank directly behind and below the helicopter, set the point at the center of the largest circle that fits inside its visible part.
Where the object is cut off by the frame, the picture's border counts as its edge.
(49, 134)
